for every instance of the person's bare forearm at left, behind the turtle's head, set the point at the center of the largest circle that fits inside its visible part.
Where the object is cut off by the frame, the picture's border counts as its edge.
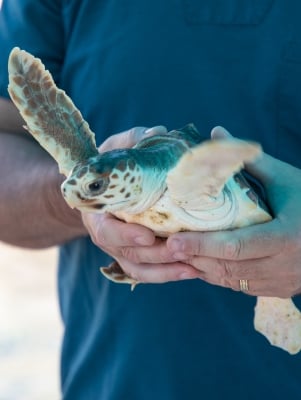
(32, 211)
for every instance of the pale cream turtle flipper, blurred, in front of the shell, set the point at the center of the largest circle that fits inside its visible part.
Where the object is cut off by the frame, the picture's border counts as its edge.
(202, 172)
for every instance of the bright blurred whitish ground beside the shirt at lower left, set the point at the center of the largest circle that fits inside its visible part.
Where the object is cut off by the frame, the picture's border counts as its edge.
(30, 326)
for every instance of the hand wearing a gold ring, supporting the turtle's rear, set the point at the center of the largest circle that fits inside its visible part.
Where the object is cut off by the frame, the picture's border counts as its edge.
(267, 255)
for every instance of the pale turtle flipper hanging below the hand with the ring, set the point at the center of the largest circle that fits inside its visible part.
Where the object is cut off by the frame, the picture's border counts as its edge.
(279, 321)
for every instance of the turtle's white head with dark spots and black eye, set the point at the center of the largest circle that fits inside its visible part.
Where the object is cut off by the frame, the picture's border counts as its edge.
(110, 182)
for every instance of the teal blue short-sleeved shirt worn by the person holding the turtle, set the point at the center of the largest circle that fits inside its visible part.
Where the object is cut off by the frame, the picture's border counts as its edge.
(143, 63)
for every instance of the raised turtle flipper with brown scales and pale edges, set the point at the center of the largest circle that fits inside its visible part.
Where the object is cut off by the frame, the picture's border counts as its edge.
(50, 115)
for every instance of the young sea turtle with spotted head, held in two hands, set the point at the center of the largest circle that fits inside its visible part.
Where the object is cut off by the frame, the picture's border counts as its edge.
(168, 182)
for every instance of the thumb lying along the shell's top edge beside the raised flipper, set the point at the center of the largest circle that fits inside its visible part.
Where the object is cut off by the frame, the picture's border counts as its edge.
(129, 138)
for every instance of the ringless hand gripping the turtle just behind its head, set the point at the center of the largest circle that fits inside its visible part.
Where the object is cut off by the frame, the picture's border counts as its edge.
(142, 256)
